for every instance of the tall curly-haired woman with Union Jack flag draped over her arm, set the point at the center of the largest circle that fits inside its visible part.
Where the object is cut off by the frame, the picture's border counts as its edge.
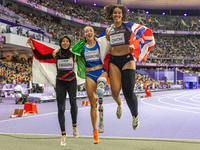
(126, 39)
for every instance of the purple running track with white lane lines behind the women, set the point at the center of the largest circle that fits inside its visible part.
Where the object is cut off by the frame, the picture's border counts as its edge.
(166, 115)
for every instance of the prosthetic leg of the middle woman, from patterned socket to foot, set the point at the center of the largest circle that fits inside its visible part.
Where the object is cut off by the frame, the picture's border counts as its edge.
(100, 91)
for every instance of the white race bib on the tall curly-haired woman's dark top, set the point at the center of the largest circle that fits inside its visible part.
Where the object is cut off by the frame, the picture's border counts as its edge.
(117, 39)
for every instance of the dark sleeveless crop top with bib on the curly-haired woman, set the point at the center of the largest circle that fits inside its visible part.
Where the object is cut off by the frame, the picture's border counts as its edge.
(119, 36)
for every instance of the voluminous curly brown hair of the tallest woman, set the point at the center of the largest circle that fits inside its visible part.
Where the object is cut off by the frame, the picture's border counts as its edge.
(108, 11)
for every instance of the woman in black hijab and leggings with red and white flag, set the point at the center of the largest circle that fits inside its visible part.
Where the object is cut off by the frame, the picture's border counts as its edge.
(44, 63)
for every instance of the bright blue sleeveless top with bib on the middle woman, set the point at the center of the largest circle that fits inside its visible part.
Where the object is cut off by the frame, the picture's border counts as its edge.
(92, 56)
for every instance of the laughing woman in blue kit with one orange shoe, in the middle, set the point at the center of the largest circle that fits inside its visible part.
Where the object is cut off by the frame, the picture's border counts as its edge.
(96, 75)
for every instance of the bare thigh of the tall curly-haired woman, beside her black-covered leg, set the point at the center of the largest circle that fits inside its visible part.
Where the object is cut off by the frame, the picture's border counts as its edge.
(115, 78)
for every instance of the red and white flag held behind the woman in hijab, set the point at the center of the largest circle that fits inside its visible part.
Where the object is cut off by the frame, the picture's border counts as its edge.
(44, 71)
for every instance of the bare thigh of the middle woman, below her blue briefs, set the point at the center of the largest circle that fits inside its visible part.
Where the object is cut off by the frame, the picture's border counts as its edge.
(91, 88)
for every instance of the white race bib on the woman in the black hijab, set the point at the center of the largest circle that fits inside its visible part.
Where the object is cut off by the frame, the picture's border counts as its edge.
(65, 64)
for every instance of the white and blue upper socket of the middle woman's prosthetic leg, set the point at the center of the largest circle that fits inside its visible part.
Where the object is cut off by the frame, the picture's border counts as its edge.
(101, 85)
